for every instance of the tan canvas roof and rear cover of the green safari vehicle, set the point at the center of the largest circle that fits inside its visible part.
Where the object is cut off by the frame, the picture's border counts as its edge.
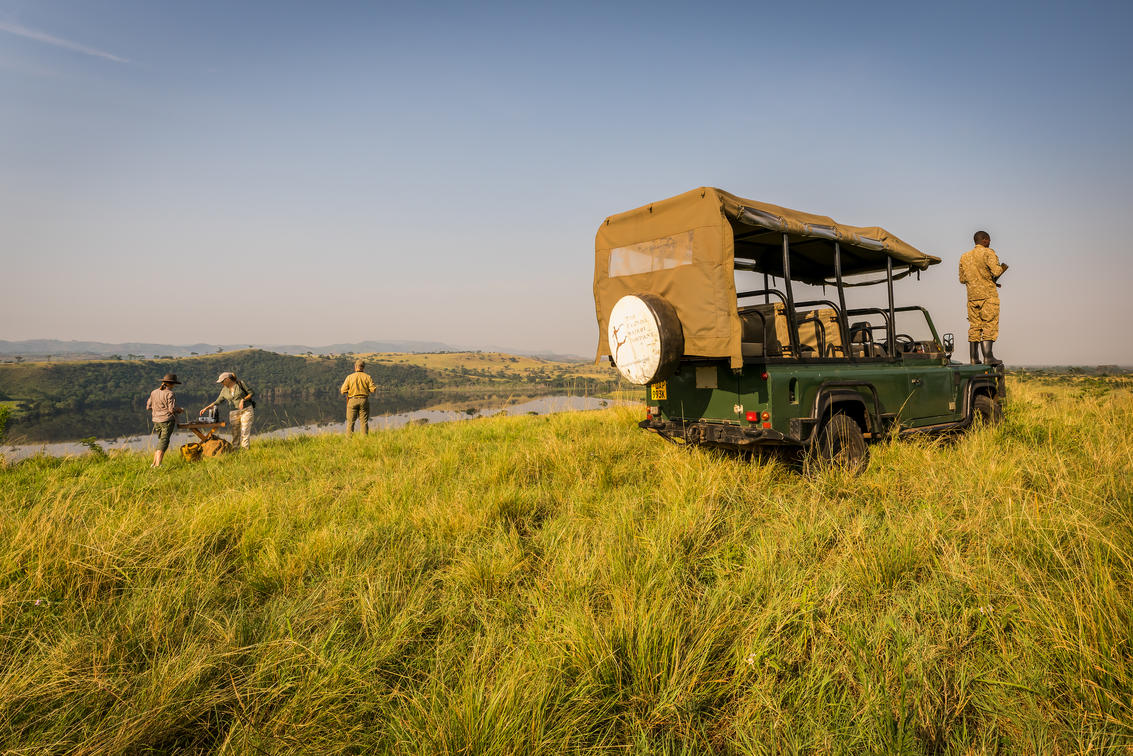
(685, 249)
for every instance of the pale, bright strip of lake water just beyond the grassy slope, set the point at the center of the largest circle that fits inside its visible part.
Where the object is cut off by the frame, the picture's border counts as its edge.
(452, 411)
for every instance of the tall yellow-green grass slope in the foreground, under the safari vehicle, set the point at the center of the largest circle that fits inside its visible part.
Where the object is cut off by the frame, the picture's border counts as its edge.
(569, 584)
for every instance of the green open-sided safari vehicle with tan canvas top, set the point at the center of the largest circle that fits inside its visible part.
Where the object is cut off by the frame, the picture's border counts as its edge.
(745, 368)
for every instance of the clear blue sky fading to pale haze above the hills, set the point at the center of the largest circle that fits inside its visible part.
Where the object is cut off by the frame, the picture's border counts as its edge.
(297, 173)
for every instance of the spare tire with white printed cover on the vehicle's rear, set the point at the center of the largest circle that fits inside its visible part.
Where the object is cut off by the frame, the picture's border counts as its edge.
(646, 339)
